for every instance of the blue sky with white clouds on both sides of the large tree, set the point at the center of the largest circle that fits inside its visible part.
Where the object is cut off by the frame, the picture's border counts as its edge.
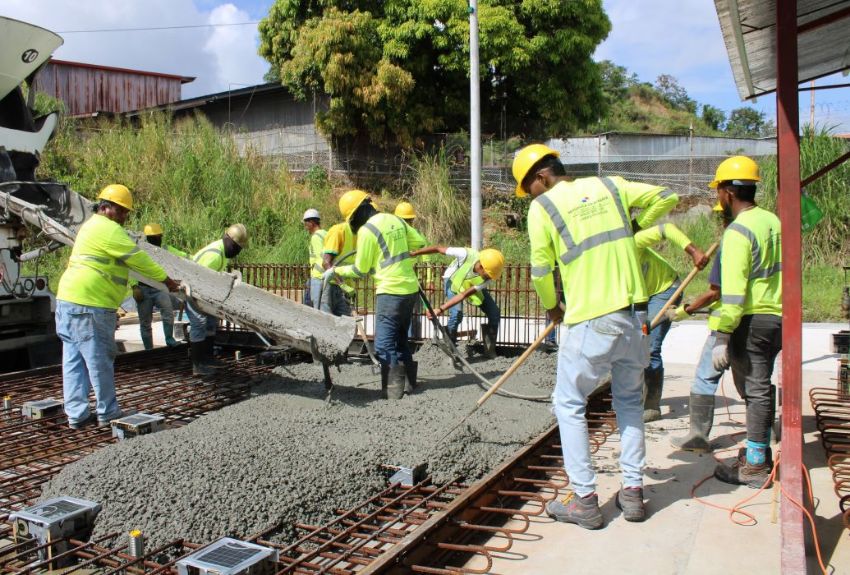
(649, 37)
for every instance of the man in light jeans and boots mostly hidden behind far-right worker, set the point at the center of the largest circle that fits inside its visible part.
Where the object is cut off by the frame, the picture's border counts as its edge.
(706, 378)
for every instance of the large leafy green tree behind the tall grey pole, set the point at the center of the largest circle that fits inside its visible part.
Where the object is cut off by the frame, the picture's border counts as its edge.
(396, 69)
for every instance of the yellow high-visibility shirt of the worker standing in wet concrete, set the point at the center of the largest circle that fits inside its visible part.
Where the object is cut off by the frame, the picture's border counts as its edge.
(383, 249)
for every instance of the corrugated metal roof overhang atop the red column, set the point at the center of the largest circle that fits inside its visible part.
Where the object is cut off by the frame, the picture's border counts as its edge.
(749, 31)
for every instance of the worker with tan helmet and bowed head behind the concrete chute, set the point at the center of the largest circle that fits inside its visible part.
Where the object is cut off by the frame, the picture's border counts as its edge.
(202, 327)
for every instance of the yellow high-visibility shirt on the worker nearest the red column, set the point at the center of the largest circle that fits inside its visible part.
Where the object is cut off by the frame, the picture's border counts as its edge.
(750, 268)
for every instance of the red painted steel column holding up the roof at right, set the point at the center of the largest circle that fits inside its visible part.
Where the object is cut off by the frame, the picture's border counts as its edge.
(788, 163)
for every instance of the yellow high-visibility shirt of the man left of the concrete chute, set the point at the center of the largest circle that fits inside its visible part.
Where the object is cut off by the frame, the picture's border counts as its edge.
(101, 259)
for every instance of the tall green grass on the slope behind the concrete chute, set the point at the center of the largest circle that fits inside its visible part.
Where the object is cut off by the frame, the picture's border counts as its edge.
(191, 179)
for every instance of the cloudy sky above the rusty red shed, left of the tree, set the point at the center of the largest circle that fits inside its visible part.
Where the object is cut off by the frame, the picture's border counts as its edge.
(215, 56)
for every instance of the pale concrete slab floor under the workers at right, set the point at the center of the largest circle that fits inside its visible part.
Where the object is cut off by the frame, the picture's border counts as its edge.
(683, 535)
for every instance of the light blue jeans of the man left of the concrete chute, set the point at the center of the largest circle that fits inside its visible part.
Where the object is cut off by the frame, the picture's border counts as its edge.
(88, 356)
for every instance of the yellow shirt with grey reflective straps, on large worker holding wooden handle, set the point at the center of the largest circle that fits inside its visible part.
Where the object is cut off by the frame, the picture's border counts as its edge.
(583, 227)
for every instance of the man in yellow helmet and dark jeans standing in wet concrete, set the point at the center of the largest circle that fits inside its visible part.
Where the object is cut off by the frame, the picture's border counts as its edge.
(384, 243)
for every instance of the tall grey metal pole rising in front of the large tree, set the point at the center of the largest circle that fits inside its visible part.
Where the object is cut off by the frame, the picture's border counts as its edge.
(474, 128)
